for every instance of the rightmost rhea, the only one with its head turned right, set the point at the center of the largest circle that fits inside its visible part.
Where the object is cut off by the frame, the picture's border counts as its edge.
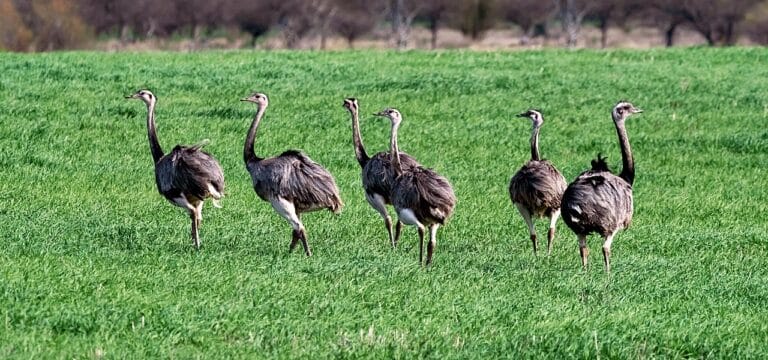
(599, 201)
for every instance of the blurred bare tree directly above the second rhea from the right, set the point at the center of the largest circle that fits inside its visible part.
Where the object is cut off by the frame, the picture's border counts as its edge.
(527, 14)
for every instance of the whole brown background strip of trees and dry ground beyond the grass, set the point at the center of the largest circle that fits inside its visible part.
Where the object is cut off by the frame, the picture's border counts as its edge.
(45, 25)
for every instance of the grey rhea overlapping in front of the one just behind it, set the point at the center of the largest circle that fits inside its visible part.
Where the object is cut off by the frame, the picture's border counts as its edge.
(421, 197)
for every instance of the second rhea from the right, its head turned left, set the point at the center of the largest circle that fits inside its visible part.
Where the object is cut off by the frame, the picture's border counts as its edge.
(537, 188)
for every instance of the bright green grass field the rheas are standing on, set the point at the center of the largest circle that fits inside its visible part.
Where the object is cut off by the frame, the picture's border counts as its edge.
(94, 262)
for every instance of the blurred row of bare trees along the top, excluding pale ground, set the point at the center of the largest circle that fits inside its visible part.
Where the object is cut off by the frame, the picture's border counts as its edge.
(42, 25)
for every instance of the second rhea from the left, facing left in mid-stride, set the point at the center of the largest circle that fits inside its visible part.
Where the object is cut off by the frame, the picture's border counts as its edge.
(291, 182)
